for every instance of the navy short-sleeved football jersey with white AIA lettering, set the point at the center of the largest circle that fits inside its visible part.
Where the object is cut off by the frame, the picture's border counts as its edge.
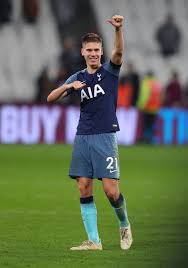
(98, 99)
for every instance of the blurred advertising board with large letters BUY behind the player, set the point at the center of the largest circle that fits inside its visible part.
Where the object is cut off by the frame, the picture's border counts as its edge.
(32, 124)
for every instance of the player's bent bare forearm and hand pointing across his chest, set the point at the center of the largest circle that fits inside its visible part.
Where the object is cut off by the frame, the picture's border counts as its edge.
(64, 90)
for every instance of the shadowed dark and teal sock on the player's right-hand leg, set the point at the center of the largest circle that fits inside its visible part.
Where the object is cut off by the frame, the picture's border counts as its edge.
(121, 211)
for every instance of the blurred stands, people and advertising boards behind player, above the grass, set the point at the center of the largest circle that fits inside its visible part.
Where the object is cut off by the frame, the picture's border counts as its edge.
(40, 49)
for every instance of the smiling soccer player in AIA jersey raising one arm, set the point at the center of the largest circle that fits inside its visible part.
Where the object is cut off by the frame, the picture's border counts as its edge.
(95, 152)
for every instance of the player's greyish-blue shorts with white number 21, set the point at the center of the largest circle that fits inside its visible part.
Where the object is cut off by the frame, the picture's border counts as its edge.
(95, 156)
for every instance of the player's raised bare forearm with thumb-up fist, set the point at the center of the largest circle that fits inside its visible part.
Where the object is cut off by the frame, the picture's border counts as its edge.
(117, 52)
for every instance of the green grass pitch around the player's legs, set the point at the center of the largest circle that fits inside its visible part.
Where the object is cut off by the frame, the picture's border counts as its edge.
(40, 215)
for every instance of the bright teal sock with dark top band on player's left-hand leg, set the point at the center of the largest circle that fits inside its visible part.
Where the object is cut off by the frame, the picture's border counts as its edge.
(89, 216)
